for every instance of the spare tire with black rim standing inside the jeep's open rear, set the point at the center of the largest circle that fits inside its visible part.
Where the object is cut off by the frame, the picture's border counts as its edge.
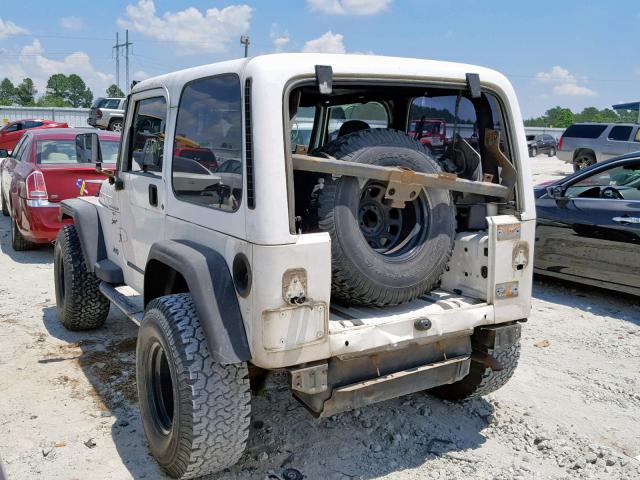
(382, 255)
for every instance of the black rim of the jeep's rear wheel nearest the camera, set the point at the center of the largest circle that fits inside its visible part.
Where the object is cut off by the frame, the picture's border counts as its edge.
(160, 387)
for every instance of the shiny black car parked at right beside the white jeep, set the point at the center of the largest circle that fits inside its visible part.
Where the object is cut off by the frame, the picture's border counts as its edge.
(588, 228)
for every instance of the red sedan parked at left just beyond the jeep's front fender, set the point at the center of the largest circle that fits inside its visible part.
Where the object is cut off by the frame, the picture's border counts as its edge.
(43, 170)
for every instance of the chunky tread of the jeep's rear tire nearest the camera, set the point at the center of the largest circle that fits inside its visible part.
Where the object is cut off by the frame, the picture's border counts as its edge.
(216, 412)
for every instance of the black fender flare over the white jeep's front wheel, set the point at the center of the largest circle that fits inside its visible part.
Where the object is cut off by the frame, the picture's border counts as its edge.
(87, 222)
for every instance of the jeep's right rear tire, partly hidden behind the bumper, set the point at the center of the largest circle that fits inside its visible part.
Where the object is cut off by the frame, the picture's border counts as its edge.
(481, 380)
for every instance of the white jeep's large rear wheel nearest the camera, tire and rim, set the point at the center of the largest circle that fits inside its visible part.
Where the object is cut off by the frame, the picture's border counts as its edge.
(195, 411)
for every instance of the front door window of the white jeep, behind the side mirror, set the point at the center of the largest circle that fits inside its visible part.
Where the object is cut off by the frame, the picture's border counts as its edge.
(146, 143)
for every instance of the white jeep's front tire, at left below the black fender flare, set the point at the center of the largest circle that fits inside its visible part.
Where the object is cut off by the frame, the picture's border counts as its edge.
(80, 304)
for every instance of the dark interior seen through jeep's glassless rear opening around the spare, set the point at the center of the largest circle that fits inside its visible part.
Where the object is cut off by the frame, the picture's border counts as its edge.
(441, 119)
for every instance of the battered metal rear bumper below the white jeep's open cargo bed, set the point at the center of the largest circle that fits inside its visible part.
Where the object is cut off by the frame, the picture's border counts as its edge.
(343, 384)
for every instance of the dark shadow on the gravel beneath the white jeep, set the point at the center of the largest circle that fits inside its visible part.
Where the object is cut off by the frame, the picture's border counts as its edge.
(366, 443)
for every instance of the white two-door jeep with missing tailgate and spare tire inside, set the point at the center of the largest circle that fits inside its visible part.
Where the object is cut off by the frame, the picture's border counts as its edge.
(282, 213)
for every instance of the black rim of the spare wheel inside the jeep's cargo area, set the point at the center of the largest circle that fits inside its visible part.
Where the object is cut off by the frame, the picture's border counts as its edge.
(392, 232)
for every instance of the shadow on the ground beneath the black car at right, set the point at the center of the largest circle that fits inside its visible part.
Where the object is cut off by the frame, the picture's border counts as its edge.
(594, 300)
